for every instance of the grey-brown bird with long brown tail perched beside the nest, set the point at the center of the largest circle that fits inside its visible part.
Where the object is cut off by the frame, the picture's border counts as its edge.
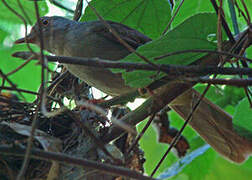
(92, 39)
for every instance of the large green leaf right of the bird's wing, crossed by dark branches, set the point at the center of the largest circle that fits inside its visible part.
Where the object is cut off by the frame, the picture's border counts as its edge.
(193, 33)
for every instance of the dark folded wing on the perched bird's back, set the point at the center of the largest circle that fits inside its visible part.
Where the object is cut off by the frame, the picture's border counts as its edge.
(131, 36)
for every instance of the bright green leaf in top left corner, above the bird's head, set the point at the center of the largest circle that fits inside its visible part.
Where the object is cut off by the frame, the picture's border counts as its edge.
(28, 6)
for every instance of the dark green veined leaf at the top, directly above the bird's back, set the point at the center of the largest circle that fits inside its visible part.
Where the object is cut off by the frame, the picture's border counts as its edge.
(148, 16)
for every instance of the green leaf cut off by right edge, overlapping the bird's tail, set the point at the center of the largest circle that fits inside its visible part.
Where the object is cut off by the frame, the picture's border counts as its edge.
(242, 120)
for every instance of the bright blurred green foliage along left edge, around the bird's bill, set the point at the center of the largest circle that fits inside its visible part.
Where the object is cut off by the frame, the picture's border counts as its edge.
(10, 27)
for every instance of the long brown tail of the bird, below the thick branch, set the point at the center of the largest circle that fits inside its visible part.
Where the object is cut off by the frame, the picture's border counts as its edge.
(213, 125)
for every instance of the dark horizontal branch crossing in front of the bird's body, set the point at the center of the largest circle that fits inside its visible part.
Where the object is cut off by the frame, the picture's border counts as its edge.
(168, 69)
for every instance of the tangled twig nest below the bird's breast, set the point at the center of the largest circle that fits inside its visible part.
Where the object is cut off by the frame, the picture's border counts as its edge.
(75, 132)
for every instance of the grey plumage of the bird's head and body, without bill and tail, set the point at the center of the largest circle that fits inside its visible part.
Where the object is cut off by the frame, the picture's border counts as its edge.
(92, 39)
